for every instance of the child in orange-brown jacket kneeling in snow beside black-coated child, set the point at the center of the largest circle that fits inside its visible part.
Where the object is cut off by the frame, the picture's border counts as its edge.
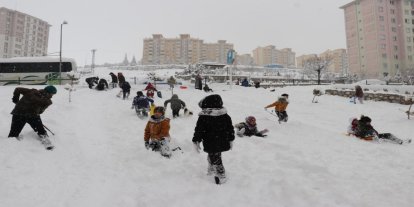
(157, 132)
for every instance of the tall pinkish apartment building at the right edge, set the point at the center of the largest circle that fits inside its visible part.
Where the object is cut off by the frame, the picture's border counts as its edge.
(379, 37)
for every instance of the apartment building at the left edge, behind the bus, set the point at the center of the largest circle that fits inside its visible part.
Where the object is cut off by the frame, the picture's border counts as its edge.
(22, 35)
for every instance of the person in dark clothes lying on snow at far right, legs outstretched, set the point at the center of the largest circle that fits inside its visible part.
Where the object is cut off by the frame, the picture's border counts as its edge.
(363, 129)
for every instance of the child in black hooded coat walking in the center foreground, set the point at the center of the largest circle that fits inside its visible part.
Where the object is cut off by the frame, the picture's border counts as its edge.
(214, 128)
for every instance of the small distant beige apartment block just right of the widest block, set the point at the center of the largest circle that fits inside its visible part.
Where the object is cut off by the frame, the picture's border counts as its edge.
(270, 55)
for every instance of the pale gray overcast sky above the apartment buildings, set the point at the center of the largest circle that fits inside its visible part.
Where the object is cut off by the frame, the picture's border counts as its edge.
(116, 28)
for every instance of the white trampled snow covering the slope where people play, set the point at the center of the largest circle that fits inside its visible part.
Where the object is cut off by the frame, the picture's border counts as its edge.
(100, 158)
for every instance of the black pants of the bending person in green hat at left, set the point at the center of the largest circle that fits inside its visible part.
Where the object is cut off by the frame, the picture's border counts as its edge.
(19, 121)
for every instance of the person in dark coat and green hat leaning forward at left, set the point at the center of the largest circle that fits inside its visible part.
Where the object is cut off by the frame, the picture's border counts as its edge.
(28, 109)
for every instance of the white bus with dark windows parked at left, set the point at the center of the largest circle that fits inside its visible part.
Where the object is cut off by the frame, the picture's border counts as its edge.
(37, 71)
